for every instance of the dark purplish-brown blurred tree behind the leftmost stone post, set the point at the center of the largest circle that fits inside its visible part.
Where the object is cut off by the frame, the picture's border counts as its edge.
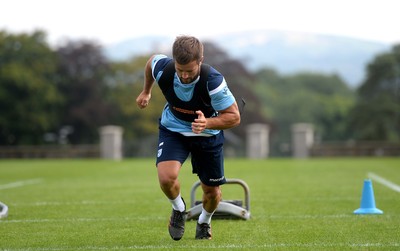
(82, 73)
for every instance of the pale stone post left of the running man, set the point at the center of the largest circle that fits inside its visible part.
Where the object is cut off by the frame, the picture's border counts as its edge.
(111, 142)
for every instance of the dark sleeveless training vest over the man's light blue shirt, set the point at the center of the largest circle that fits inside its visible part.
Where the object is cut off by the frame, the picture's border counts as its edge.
(186, 110)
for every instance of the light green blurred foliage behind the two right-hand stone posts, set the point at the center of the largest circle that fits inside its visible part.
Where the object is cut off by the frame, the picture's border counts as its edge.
(321, 100)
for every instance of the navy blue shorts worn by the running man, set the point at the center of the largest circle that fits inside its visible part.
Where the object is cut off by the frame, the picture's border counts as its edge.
(206, 154)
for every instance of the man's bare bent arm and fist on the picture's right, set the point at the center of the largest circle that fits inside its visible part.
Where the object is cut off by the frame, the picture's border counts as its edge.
(226, 119)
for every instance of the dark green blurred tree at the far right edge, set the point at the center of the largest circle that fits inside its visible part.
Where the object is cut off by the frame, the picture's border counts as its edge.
(376, 115)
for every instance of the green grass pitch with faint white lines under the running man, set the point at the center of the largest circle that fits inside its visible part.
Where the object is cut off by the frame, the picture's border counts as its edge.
(106, 205)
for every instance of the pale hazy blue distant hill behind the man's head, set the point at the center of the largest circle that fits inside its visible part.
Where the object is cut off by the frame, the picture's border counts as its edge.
(286, 52)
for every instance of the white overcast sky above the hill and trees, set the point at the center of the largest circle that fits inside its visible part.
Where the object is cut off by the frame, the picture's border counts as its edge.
(110, 21)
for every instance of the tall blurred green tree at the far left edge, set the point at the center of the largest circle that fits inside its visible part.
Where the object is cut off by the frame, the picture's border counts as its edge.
(29, 98)
